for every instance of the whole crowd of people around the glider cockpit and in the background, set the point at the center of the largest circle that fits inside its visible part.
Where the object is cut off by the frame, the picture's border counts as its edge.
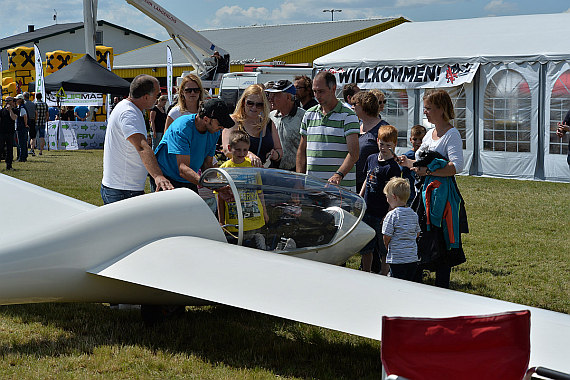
(412, 200)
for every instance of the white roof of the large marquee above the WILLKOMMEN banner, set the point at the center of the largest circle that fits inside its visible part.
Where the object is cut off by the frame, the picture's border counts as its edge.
(490, 39)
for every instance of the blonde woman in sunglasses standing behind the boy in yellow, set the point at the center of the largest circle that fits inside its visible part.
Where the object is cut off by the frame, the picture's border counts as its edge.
(252, 116)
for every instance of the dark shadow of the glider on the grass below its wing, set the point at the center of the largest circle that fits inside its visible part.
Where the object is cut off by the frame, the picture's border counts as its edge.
(216, 334)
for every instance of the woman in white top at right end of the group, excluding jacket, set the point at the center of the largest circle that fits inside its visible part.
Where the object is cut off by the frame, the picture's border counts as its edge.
(446, 140)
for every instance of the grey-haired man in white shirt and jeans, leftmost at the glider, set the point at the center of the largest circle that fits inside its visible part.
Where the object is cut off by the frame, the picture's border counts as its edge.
(127, 157)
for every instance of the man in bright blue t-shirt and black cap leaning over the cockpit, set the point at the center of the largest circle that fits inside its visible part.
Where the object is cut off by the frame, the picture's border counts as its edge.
(190, 143)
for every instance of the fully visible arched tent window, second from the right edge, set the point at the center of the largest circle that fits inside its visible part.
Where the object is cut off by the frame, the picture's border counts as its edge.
(507, 113)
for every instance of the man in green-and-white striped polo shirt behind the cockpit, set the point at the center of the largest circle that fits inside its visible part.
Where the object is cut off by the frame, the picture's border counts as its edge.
(329, 136)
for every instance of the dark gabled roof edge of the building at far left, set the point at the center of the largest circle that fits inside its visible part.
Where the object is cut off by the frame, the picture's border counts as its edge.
(53, 30)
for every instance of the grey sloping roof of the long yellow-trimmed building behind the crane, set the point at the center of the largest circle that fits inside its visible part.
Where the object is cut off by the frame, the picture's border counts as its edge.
(249, 44)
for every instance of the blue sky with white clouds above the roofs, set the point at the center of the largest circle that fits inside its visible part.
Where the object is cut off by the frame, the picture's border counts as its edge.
(213, 14)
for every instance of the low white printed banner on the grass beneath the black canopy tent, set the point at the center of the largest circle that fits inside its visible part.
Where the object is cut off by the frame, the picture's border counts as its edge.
(74, 135)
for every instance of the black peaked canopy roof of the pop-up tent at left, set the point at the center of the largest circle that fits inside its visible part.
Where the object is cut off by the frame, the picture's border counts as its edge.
(86, 75)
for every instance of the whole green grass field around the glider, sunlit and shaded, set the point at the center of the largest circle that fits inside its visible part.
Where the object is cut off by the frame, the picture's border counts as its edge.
(517, 251)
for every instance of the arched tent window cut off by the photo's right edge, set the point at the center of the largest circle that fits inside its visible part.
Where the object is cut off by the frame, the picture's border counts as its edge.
(559, 106)
